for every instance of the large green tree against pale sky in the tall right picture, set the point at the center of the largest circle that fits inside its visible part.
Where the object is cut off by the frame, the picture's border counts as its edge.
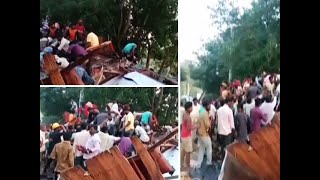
(249, 45)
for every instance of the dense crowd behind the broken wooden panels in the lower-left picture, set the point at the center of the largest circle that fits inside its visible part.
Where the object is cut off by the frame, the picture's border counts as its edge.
(88, 132)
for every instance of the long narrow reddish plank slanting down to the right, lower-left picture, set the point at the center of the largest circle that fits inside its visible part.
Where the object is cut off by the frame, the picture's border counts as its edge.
(147, 160)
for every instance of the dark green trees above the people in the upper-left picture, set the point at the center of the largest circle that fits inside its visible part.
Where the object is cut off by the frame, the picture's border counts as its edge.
(151, 24)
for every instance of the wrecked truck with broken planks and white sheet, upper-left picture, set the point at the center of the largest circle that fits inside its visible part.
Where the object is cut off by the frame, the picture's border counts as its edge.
(109, 69)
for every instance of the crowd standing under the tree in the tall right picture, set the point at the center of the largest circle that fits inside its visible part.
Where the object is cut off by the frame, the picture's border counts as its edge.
(240, 110)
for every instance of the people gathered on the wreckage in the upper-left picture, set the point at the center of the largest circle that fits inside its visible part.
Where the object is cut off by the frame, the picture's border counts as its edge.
(71, 42)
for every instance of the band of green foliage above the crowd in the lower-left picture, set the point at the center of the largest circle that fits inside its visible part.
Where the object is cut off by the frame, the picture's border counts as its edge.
(163, 101)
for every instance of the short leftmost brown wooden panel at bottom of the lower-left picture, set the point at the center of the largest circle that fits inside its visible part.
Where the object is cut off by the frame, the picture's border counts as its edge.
(76, 173)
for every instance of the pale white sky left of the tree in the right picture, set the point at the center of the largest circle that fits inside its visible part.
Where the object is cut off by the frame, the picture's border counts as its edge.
(195, 26)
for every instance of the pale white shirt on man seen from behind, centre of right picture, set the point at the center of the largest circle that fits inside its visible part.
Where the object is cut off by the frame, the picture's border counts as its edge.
(225, 120)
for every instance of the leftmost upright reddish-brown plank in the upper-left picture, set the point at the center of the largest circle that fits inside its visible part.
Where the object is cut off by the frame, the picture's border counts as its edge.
(51, 68)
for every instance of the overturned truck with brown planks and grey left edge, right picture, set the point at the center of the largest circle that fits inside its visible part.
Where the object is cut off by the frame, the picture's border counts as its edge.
(261, 163)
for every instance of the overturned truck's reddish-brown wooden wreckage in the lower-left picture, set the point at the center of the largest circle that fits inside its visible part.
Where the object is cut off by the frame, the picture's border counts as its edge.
(113, 165)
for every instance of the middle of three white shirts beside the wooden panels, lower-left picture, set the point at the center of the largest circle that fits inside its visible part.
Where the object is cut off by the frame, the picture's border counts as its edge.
(93, 144)
